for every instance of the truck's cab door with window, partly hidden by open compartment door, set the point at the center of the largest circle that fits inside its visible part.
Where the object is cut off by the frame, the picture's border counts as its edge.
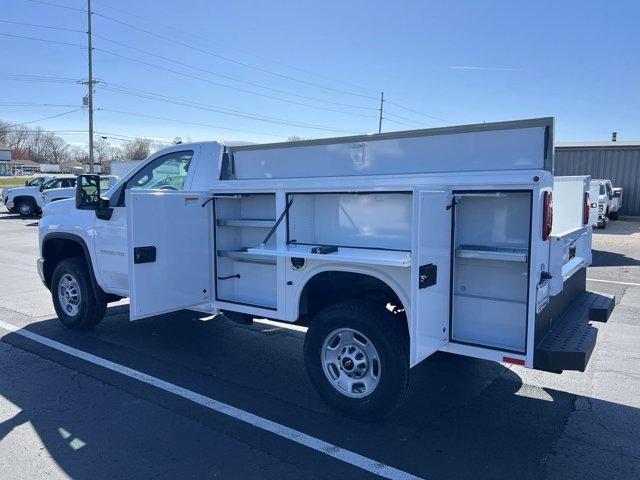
(167, 172)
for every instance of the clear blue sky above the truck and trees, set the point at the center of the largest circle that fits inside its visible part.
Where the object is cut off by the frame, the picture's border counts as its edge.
(264, 71)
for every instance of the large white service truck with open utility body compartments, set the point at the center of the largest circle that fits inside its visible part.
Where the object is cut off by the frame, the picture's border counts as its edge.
(390, 247)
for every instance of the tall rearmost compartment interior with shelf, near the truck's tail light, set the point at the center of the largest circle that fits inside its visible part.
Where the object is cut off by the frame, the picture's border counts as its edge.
(491, 268)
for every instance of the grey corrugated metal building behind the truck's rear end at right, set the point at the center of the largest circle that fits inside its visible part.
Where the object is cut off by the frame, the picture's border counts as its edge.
(617, 161)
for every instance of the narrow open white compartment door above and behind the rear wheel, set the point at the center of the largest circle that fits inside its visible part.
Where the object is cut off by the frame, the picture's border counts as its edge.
(430, 271)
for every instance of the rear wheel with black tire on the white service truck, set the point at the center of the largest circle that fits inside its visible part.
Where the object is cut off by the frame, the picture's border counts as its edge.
(380, 329)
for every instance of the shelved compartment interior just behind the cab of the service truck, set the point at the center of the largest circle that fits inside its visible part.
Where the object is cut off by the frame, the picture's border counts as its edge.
(243, 277)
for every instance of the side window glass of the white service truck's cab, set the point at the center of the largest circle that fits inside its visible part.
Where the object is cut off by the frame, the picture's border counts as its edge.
(167, 172)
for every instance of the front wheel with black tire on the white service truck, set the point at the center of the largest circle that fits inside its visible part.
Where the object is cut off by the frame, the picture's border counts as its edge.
(88, 310)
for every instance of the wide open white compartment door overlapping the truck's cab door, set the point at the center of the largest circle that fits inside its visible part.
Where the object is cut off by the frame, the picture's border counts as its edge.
(169, 244)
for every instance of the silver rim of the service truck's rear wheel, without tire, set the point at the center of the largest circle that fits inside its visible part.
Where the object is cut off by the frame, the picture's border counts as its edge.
(351, 363)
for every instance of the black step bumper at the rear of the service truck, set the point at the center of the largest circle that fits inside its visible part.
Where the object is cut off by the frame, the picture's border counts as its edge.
(570, 341)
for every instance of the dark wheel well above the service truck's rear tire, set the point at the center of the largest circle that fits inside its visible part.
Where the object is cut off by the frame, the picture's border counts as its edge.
(330, 287)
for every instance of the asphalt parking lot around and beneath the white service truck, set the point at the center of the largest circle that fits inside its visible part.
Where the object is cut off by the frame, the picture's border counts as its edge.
(61, 416)
